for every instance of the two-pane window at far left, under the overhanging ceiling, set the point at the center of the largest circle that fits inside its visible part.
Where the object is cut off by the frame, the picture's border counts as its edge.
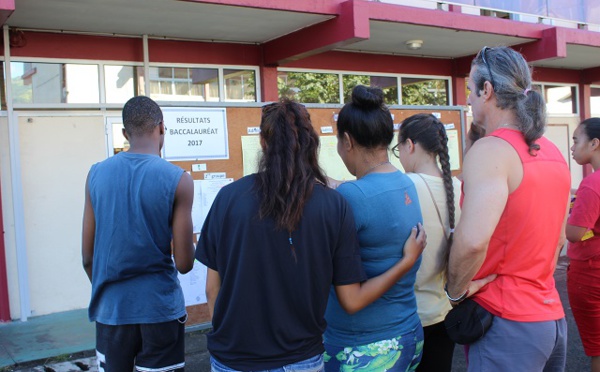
(34, 82)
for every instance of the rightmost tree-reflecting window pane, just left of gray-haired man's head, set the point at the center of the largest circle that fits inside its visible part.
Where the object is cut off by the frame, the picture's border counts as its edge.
(424, 91)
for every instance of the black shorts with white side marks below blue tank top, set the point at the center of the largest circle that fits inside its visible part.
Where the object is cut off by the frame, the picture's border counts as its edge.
(148, 347)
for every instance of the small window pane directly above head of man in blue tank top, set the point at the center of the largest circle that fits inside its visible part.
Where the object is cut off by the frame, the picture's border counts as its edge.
(122, 82)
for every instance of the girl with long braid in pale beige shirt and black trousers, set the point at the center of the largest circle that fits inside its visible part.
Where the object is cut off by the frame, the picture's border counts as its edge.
(422, 147)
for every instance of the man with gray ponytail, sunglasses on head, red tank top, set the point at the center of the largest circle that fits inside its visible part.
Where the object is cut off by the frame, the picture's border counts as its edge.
(516, 192)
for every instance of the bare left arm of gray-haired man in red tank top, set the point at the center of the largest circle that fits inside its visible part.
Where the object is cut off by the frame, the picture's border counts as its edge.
(486, 186)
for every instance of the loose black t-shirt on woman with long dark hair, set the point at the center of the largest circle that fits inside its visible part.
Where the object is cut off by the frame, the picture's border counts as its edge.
(270, 308)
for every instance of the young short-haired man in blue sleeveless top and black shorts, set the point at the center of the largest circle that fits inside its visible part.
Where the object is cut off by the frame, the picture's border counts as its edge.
(135, 204)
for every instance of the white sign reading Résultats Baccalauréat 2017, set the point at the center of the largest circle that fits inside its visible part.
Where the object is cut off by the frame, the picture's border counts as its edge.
(195, 133)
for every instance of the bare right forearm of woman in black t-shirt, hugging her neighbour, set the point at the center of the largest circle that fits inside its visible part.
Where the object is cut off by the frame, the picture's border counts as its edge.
(355, 297)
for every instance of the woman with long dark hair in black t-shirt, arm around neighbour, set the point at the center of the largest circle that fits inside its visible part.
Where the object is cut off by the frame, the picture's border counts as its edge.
(274, 242)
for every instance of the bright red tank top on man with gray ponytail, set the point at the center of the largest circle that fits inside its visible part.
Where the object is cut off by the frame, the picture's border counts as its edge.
(523, 246)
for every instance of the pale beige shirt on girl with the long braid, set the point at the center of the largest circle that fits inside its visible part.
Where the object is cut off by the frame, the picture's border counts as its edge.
(432, 303)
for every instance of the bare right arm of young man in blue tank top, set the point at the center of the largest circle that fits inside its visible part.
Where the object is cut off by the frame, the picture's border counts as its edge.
(183, 238)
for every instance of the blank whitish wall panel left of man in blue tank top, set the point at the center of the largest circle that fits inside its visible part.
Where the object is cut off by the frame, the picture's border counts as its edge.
(56, 153)
